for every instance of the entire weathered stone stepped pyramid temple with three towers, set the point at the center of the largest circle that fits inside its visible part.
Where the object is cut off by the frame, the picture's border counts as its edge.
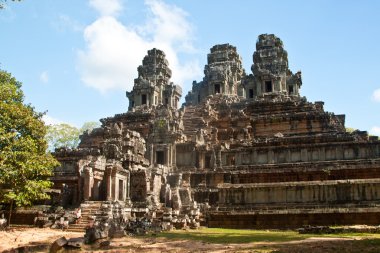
(243, 151)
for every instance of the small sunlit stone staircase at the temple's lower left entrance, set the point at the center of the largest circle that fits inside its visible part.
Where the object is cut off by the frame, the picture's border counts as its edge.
(89, 209)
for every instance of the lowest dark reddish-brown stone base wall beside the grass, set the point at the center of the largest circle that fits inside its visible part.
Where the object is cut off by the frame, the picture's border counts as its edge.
(291, 220)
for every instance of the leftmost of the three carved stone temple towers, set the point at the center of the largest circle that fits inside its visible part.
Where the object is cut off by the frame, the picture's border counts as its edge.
(152, 87)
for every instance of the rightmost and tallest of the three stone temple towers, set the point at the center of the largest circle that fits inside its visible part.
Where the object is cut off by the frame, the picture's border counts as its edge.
(271, 74)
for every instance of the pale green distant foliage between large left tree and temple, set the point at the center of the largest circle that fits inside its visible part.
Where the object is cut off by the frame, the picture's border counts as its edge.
(65, 135)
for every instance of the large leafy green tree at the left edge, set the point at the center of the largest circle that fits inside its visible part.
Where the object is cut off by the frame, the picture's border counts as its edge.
(25, 166)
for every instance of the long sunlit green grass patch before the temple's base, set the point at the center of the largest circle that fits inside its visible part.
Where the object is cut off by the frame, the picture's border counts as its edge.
(219, 235)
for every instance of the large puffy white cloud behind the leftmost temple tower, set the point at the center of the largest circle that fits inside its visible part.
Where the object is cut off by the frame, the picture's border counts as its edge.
(114, 50)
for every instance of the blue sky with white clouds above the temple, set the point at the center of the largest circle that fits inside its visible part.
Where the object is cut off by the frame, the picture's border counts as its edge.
(76, 58)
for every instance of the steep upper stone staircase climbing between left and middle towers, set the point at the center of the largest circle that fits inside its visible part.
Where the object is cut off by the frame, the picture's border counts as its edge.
(192, 121)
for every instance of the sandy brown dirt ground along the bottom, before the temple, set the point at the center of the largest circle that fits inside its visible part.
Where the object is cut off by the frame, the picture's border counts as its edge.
(34, 236)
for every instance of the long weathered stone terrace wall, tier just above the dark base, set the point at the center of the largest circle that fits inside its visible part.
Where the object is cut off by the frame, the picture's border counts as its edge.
(339, 191)
